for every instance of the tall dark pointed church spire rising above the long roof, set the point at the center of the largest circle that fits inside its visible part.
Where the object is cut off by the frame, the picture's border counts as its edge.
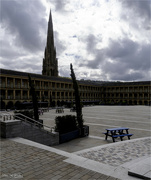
(50, 62)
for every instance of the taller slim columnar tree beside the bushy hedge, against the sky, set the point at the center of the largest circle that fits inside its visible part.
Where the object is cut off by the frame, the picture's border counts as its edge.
(77, 99)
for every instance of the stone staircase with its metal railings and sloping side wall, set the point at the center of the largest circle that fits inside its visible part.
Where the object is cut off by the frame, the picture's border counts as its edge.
(19, 125)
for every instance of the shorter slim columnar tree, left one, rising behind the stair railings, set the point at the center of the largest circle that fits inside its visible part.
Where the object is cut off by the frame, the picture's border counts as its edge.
(34, 98)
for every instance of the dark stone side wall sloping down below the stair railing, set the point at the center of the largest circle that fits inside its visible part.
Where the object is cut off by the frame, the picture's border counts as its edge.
(17, 128)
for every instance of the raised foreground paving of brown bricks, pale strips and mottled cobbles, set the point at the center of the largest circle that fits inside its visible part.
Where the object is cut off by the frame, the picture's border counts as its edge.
(24, 159)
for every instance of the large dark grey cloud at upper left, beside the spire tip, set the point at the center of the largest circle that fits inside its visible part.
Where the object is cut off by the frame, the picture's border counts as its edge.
(24, 20)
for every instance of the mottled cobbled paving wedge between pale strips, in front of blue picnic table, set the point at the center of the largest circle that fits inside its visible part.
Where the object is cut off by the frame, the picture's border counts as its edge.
(119, 153)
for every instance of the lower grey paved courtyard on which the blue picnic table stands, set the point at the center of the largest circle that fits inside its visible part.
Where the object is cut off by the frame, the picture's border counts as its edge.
(98, 118)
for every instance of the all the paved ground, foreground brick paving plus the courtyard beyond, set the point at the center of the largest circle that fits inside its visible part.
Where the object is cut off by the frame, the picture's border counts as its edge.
(91, 157)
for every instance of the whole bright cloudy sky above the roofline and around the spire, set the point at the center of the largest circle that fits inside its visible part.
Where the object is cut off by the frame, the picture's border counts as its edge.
(107, 40)
